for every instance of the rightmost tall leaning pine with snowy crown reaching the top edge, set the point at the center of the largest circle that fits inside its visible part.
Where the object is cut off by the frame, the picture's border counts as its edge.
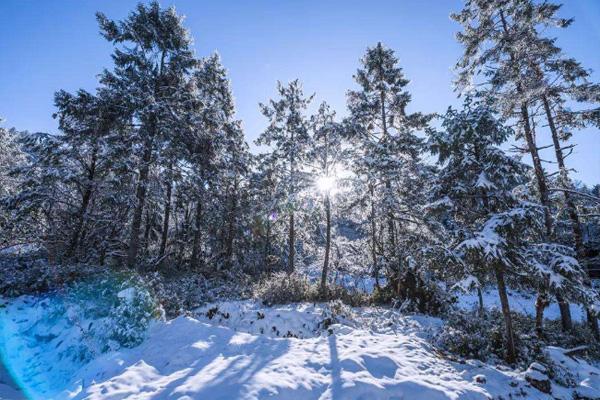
(557, 83)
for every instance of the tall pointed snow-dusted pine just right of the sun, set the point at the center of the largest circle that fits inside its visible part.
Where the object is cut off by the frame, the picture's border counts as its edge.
(387, 154)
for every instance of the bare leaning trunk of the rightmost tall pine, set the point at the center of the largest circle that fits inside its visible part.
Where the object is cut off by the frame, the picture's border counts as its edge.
(571, 208)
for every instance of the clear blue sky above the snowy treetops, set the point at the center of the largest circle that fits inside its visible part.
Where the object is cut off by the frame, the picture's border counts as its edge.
(54, 44)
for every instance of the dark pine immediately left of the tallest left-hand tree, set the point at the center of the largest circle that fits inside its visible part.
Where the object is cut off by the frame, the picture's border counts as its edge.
(89, 125)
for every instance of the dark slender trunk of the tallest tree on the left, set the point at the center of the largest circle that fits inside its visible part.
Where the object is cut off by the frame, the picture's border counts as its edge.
(140, 196)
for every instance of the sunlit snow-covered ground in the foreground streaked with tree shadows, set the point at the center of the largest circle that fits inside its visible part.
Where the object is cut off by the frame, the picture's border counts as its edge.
(244, 350)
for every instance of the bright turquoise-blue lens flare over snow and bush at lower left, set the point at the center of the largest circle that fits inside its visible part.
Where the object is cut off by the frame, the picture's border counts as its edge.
(46, 339)
